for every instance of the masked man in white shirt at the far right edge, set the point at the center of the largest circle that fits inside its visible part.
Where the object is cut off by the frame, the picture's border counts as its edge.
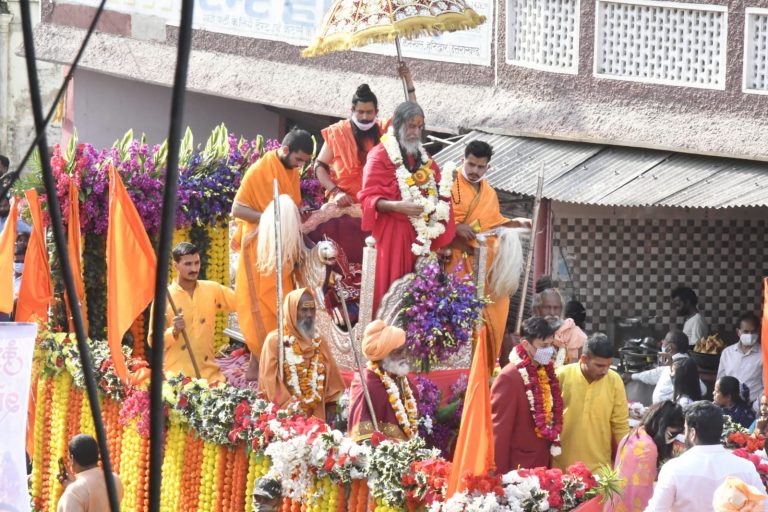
(744, 360)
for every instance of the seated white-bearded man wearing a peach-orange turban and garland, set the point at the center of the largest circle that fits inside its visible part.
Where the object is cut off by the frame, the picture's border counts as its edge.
(392, 396)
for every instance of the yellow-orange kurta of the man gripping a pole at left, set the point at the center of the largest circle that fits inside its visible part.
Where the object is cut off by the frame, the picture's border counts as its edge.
(199, 312)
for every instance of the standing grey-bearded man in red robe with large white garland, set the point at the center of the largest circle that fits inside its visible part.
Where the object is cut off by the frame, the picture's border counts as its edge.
(405, 199)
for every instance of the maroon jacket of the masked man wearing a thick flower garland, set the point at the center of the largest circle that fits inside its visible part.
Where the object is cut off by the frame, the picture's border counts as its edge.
(514, 432)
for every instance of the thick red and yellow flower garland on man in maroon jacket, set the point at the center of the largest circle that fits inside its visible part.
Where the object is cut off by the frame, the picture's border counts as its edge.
(543, 392)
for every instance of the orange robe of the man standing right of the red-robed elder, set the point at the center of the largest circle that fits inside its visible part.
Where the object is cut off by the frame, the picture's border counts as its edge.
(480, 209)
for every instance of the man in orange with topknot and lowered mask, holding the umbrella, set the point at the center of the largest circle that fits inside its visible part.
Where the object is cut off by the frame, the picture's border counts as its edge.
(339, 165)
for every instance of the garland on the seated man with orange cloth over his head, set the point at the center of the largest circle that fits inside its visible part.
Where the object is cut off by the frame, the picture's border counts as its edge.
(307, 385)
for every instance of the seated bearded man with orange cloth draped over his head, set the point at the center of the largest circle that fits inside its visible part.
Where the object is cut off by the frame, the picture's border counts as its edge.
(318, 389)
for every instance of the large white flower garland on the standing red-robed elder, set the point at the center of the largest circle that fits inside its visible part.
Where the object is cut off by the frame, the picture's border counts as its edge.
(419, 187)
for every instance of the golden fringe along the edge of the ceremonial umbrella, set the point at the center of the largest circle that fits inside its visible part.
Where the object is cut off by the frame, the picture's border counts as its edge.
(410, 28)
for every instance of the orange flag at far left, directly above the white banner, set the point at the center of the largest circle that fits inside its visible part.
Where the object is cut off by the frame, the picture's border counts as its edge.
(36, 291)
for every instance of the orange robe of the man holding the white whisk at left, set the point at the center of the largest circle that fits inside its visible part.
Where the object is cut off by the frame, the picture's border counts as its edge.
(256, 191)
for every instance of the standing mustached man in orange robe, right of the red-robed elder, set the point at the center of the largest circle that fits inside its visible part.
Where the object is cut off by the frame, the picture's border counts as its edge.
(476, 209)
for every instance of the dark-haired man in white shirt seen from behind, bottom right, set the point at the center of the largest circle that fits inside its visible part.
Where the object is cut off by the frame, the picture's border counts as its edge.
(687, 483)
